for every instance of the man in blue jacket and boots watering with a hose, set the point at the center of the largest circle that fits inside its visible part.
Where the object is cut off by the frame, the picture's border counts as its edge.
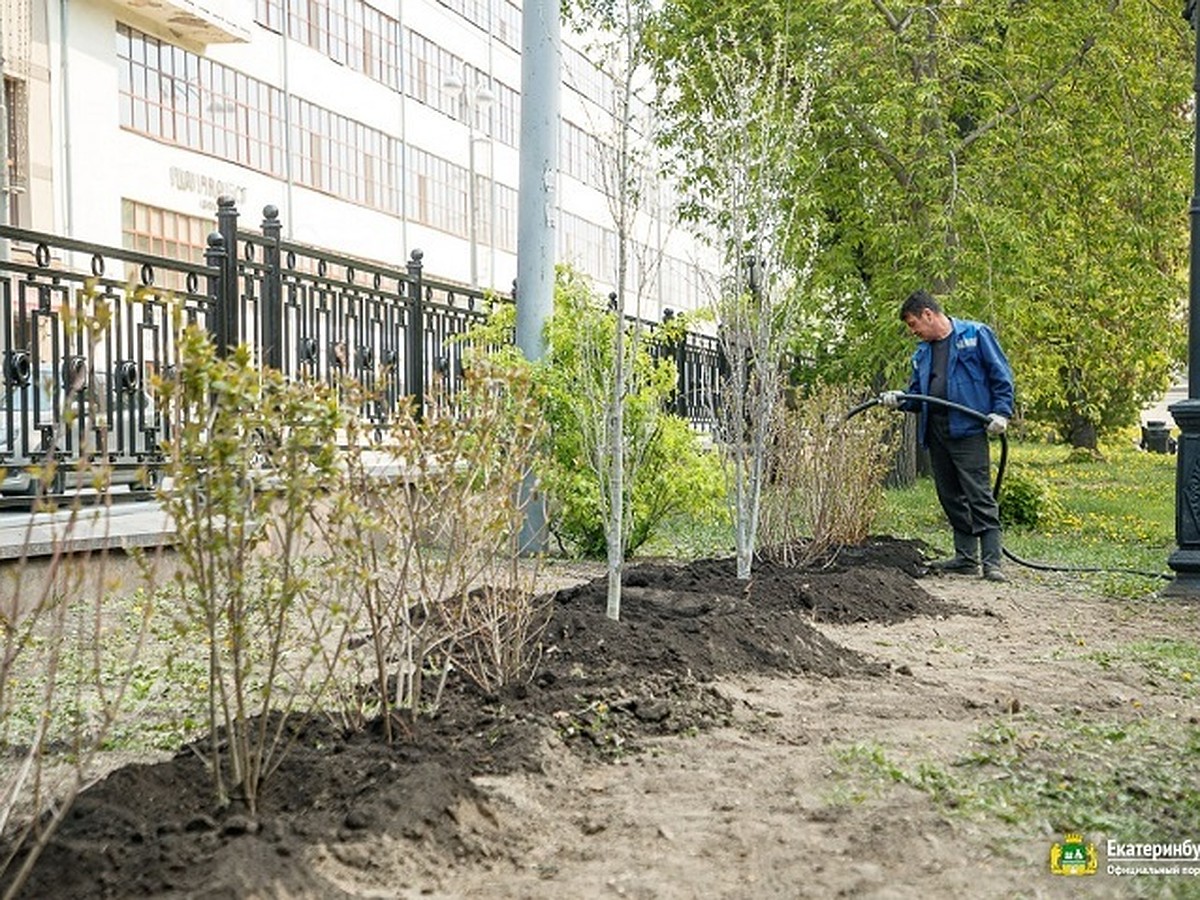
(959, 362)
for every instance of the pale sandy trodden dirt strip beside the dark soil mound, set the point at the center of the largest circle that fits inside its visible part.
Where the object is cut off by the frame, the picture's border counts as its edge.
(755, 811)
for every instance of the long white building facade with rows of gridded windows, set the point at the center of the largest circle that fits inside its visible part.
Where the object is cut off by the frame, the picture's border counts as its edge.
(375, 127)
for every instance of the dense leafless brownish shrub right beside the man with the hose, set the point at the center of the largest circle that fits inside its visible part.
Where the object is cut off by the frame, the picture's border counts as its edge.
(827, 473)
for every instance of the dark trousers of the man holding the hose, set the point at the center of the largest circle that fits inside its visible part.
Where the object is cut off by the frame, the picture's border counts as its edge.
(963, 478)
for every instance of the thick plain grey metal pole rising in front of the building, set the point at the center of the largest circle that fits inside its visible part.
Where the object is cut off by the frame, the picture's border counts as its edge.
(541, 86)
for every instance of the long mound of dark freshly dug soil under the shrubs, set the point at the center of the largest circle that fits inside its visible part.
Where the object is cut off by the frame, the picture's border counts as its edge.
(603, 686)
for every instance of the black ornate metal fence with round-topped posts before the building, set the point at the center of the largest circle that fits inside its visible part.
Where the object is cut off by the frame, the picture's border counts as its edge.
(87, 327)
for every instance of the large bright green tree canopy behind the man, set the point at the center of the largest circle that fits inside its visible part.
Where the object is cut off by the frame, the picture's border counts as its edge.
(1027, 160)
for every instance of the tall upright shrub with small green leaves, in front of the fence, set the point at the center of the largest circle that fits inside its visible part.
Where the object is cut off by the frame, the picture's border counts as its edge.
(250, 455)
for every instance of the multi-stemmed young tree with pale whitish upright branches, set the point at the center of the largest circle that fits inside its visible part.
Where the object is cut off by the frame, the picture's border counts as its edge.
(739, 158)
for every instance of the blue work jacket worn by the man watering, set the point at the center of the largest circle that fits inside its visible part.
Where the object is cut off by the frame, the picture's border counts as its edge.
(977, 376)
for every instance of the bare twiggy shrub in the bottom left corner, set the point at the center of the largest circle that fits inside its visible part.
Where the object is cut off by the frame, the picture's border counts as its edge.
(67, 668)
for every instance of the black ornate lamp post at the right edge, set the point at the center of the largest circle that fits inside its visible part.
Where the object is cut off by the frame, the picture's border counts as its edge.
(1186, 559)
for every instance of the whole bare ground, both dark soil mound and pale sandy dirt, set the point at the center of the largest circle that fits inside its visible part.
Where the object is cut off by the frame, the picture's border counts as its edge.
(689, 751)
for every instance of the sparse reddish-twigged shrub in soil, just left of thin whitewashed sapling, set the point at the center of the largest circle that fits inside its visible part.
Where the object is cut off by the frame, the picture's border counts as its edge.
(428, 537)
